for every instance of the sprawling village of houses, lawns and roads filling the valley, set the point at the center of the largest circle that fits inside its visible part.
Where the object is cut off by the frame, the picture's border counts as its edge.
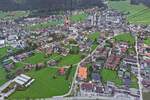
(88, 53)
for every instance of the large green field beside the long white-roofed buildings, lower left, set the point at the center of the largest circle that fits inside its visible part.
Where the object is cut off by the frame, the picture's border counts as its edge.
(44, 85)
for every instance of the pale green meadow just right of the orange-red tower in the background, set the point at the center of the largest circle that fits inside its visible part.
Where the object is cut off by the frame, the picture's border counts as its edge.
(78, 17)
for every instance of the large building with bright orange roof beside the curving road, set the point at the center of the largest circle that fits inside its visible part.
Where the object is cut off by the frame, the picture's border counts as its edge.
(82, 73)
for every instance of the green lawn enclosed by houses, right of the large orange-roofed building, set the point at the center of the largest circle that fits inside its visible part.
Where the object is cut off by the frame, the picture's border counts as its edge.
(109, 75)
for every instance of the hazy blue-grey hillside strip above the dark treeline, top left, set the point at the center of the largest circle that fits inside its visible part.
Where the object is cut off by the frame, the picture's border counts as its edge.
(46, 4)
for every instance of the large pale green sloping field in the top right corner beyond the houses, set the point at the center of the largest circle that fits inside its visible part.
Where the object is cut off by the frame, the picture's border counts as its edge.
(138, 14)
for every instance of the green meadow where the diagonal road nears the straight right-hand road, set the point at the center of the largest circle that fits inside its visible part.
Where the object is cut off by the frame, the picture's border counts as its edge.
(125, 38)
